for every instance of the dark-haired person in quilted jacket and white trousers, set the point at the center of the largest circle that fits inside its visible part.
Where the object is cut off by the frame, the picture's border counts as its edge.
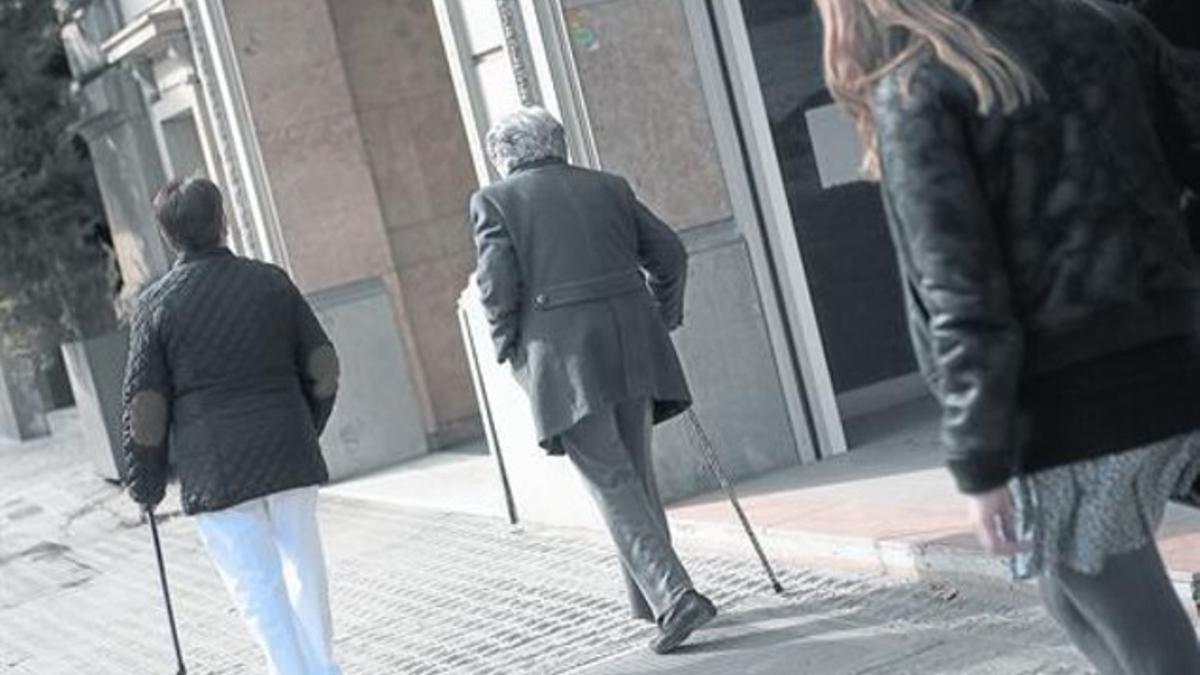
(230, 384)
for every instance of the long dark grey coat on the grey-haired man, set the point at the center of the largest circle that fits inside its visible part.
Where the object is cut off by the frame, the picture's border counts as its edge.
(581, 284)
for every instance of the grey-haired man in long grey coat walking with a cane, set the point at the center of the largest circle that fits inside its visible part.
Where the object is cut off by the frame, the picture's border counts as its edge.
(583, 284)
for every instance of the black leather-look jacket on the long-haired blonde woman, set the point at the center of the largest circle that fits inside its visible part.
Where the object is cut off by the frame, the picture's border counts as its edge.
(1045, 243)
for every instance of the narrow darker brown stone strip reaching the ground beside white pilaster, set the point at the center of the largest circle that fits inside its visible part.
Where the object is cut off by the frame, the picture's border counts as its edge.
(421, 163)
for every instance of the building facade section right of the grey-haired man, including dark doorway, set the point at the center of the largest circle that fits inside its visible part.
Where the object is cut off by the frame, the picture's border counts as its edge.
(717, 112)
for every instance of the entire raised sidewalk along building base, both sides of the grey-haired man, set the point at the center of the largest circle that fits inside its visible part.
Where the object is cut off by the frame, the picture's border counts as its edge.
(889, 507)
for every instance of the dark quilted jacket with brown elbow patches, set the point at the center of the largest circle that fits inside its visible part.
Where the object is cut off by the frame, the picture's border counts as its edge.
(231, 381)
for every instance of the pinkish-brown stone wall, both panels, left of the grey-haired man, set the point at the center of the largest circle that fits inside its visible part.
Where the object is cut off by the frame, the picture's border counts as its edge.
(355, 114)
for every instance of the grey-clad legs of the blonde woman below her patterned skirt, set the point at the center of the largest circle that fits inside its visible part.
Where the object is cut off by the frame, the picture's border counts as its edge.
(1126, 620)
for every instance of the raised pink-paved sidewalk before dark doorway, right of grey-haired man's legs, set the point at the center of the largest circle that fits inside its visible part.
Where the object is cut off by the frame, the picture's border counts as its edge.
(891, 507)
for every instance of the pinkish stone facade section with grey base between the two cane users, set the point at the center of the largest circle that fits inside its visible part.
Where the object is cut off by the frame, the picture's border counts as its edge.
(334, 132)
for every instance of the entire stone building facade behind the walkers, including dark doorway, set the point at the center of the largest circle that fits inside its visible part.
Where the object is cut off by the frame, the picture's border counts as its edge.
(349, 135)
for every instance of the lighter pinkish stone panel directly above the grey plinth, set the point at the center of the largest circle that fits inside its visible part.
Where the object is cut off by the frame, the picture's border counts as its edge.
(311, 142)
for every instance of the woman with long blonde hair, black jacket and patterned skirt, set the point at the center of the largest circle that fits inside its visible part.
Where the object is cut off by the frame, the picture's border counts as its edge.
(1033, 156)
